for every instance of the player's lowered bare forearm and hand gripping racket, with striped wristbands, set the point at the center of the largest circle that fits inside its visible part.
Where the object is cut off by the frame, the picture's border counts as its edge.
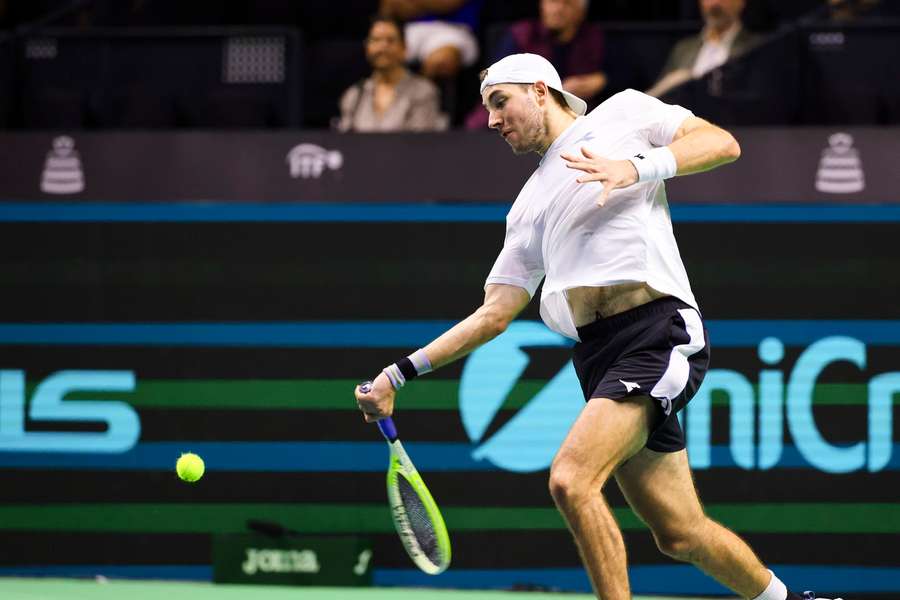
(502, 303)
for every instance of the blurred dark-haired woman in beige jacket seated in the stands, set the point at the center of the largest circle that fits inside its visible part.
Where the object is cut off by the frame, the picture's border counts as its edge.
(392, 99)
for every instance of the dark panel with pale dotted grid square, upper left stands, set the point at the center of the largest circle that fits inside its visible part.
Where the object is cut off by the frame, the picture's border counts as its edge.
(153, 78)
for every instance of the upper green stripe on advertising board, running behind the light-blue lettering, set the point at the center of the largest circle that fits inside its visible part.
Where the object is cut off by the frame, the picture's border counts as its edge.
(335, 394)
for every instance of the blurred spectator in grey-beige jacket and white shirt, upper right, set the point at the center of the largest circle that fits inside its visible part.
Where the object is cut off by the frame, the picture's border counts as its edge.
(723, 38)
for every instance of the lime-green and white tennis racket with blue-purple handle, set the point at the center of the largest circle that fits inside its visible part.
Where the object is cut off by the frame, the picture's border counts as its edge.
(416, 516)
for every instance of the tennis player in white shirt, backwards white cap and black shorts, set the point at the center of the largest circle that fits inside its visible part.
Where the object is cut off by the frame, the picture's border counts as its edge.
(593, 222)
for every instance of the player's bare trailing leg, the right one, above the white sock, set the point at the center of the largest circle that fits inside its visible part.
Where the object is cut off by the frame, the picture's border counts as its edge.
(660, 489)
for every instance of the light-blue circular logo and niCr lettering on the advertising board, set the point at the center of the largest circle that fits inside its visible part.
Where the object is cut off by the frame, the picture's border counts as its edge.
(760, 412)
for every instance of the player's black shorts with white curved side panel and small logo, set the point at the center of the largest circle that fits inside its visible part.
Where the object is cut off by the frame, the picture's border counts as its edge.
(659, 349)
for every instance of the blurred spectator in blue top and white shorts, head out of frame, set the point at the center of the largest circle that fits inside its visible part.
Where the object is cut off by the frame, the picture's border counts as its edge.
(440, 33)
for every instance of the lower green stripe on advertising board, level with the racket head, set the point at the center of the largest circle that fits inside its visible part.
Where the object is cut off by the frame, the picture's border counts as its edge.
(375, 518)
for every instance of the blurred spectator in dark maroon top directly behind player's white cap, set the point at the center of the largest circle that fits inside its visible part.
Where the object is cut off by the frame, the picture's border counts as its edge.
(561, 36)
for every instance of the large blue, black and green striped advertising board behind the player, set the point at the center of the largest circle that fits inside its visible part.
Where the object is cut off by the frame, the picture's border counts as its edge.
(132, 333)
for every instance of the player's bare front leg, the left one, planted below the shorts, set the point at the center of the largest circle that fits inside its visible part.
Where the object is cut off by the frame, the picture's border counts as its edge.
(606, 433)
